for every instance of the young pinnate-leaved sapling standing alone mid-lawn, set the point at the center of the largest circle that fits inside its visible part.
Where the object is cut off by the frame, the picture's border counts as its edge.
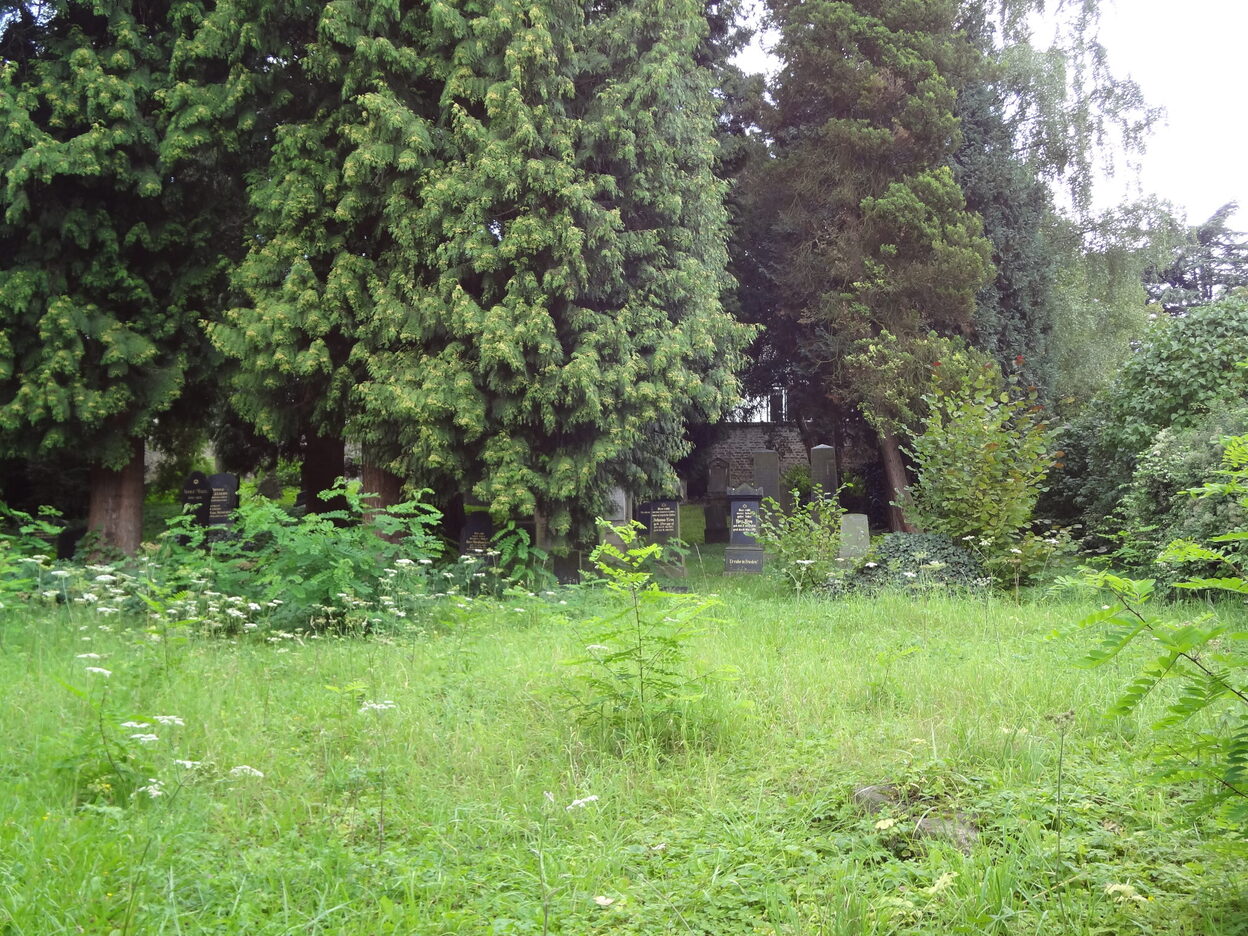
(635, 681)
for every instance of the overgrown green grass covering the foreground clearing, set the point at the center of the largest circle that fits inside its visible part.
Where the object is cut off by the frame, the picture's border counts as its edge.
(452, 812)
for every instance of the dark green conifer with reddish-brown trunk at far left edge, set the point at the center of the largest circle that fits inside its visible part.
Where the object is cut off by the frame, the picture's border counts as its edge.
(105, 256)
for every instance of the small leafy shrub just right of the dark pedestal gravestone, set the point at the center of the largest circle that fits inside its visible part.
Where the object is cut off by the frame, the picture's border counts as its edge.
(806, 542)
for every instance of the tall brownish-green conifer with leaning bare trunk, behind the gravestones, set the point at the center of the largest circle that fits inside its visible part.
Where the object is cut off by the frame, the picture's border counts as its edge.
(870, 232)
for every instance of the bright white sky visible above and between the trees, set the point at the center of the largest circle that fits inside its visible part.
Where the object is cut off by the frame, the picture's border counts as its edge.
(1192, 59)
